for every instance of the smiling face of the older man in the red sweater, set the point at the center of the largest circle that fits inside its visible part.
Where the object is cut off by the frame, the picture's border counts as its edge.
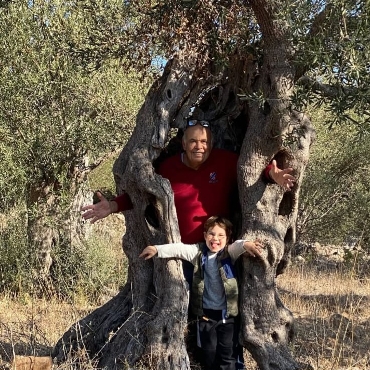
(197, 145)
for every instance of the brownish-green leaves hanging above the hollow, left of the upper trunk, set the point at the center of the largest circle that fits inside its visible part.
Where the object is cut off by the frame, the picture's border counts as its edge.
(138, 31)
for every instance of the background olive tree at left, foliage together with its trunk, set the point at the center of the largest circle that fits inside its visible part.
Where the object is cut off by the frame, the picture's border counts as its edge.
(56, 122)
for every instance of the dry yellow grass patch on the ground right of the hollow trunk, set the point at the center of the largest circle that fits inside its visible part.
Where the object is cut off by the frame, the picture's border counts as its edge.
(332, 314)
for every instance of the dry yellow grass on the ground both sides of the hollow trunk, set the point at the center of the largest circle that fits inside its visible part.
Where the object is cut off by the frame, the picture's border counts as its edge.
(331, 308)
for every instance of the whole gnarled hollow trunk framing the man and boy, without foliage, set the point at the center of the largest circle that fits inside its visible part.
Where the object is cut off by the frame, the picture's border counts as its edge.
(145, 324)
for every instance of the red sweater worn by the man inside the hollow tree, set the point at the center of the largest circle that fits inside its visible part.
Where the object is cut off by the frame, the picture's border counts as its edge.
(198, 194)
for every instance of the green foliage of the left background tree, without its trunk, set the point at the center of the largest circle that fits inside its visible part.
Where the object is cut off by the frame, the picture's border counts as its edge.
(54, 115)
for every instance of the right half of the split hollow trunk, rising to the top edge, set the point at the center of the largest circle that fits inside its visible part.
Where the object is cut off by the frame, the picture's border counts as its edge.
(268, 212)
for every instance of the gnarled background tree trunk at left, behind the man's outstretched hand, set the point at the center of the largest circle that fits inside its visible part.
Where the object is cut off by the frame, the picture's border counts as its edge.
(47, 221)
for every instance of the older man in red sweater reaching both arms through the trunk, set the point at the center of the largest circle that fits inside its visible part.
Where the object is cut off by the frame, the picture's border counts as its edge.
(198, 176)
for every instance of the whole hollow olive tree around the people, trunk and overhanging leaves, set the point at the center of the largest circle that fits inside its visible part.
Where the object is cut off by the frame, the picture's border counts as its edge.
(252, 66)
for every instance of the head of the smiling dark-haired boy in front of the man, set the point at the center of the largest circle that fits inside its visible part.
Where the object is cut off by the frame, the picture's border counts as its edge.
(217, 232)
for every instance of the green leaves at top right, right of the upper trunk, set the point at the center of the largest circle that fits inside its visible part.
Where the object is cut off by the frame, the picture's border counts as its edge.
(332, 49)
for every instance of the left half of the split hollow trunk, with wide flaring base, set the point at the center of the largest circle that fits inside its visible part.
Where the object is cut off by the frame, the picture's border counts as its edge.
(144, 325)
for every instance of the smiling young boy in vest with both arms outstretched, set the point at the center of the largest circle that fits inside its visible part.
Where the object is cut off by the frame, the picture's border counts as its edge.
(214, 298)
